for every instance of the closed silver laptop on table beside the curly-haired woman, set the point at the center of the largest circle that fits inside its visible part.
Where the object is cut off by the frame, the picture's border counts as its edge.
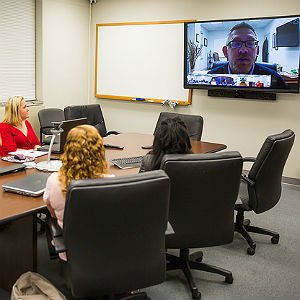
(32, 185)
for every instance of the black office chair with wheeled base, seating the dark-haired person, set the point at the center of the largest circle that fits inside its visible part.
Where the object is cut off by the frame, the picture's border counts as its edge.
(204, 188)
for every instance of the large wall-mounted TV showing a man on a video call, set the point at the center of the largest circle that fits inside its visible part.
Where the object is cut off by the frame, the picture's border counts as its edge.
(242, 54)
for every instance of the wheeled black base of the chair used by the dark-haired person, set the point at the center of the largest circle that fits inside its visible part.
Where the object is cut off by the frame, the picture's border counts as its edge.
(184, 263)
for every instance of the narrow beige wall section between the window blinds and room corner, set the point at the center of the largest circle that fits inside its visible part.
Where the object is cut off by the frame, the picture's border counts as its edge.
(62, 52)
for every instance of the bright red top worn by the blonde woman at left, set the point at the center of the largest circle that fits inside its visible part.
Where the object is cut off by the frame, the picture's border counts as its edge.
(13, 138)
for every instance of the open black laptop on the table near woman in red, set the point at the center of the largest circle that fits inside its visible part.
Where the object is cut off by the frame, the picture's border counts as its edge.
(66, 125)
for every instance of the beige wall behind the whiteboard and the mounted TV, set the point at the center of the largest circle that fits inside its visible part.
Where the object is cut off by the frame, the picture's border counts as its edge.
(240, 124)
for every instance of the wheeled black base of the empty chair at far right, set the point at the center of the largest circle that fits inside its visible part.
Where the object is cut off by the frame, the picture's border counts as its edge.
(243, 227)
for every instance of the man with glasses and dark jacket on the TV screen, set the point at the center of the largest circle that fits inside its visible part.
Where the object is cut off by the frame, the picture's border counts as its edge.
(241, 51)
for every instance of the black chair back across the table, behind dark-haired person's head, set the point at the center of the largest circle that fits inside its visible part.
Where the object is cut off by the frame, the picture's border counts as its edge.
(193, 123)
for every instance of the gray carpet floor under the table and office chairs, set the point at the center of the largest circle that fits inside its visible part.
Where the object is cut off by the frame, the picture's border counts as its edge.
(272, 273)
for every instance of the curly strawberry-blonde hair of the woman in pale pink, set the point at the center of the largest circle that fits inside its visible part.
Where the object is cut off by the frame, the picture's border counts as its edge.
(83, 157)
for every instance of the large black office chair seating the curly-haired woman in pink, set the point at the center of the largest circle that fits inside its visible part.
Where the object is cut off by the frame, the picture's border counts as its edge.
(114, 234)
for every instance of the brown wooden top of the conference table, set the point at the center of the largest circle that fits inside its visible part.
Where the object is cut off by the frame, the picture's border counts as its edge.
(14, 205)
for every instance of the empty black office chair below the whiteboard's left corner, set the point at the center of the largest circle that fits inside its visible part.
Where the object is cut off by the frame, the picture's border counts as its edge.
(94, 116)
